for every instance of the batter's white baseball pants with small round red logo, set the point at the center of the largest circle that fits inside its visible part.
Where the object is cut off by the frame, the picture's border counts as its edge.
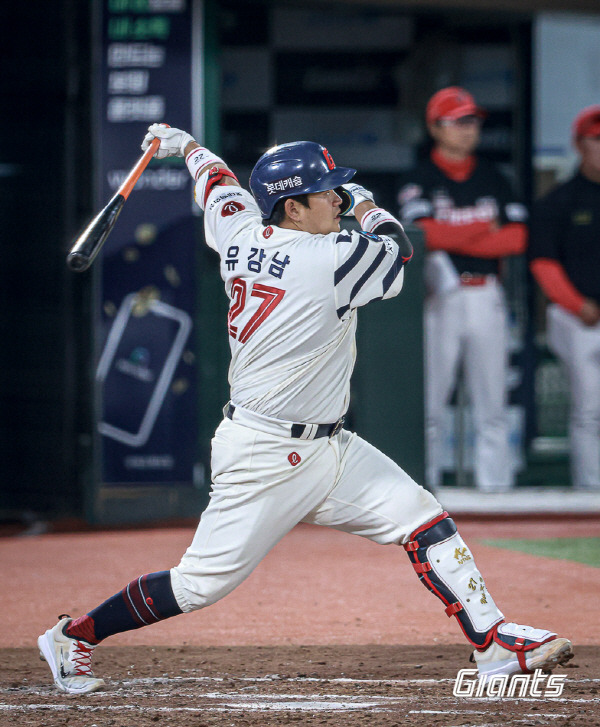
(259, 495)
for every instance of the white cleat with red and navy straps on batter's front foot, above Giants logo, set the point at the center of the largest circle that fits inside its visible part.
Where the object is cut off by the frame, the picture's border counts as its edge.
(522, 649)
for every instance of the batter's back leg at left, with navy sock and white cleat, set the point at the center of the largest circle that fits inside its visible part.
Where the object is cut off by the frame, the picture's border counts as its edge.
(262, 486)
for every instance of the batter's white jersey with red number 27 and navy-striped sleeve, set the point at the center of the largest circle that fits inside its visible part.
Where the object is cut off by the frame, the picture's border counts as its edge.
(292, 315)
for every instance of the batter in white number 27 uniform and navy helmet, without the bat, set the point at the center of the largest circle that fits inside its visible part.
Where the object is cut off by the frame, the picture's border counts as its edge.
(281, 456)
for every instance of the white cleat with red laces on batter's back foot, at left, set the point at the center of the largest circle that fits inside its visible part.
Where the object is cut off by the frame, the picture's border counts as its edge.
(69, 660)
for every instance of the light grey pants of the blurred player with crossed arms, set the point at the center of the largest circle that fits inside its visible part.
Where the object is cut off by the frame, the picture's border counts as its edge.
(469, 324)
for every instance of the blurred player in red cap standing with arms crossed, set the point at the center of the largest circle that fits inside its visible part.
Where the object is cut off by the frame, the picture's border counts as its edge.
(471, 221)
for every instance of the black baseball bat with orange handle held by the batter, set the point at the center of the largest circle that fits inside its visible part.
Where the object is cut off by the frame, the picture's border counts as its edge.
(90, 241)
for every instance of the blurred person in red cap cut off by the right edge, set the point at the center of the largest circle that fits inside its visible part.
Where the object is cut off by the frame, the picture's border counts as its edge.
(565, 260)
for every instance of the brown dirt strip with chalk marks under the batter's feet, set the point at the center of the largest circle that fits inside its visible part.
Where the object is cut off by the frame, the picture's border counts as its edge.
(340, 686)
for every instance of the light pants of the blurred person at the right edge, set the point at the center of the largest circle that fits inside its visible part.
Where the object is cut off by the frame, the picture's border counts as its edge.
(578, 347)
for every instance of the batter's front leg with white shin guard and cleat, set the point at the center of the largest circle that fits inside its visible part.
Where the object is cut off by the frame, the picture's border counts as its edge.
(376, 499)
